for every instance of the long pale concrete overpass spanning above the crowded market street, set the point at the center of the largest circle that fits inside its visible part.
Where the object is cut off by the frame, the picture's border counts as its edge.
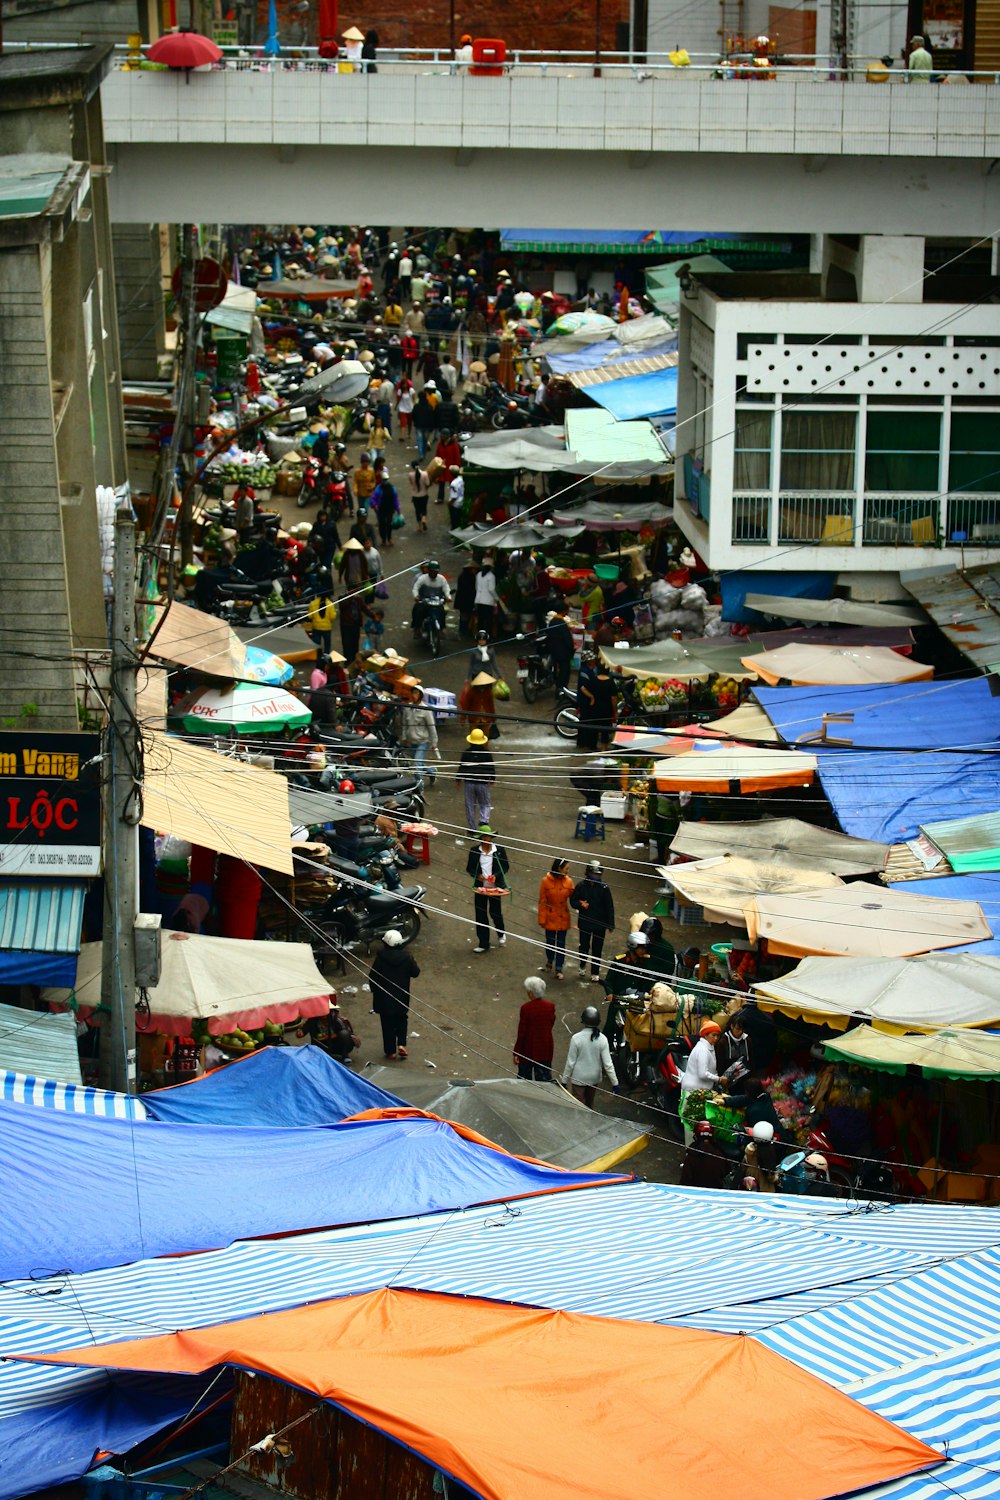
(537, 146)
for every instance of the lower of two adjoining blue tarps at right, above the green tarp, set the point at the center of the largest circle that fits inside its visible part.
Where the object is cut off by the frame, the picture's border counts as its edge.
(888, 796)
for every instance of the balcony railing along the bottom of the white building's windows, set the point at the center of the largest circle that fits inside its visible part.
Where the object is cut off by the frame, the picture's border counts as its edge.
(887, 521)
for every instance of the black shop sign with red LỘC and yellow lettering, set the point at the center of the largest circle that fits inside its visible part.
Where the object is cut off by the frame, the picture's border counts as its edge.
(50, 805)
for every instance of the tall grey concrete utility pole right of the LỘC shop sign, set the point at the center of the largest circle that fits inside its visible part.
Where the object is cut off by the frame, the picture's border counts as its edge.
(121, 826)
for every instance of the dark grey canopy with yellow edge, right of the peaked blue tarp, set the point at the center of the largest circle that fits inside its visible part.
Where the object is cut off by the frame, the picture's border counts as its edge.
(528, 1120)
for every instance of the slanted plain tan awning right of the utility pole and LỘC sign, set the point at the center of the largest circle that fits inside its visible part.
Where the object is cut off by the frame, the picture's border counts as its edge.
(217, 802)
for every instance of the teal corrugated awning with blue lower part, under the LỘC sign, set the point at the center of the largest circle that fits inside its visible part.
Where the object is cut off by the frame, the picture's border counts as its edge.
(40, 934)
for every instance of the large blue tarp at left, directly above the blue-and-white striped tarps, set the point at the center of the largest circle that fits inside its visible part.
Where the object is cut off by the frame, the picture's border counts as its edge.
(104, 1192)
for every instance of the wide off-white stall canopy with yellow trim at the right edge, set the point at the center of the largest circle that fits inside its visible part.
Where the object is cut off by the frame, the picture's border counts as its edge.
(921, 994)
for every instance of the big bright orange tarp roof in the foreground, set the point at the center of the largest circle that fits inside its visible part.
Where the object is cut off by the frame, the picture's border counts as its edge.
(519, 1403)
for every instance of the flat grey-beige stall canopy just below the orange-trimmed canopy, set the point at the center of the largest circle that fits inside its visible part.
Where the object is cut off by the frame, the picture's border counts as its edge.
(785, 842)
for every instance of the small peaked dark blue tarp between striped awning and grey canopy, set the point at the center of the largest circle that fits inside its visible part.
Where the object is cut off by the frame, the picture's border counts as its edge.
(274, 1087)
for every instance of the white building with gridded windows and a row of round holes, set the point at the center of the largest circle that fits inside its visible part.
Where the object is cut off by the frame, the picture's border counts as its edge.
(849, 437)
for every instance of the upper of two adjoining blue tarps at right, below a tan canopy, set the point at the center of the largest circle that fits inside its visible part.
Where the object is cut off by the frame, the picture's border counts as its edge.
(959, 715)
